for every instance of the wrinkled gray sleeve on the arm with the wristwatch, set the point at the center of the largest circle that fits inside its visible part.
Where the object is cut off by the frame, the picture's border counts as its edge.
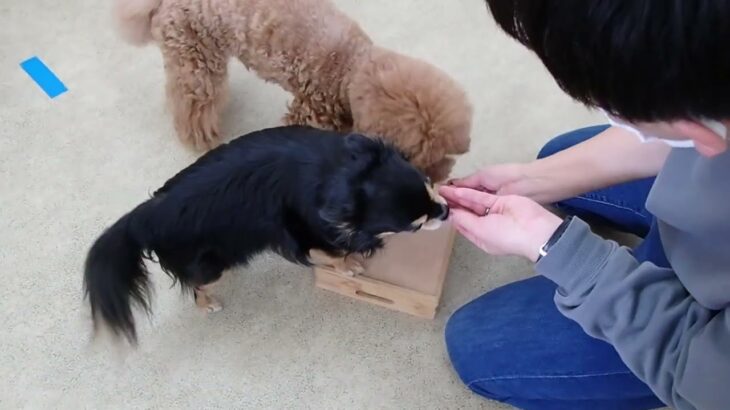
(679, 348)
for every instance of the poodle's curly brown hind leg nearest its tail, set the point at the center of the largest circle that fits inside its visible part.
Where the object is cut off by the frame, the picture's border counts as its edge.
(196, 91)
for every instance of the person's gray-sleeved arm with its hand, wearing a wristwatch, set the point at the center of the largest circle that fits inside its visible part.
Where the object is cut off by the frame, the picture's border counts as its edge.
(670, 341)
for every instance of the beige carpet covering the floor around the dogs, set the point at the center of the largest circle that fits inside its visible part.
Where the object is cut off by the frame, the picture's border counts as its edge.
(72, 165)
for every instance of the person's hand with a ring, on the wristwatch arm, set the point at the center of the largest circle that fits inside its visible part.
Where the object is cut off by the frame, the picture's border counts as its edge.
(500, 225)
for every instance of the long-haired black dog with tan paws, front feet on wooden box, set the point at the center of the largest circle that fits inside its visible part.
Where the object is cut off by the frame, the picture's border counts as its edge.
(312, 196)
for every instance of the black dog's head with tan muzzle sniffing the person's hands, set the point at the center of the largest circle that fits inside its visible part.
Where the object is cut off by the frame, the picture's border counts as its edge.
(378, 193)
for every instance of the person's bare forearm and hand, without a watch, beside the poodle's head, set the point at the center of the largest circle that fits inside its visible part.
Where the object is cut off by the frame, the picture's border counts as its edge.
(611, 157)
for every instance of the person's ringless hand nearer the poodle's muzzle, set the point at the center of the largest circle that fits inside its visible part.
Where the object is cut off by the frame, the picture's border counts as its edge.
(500, 179)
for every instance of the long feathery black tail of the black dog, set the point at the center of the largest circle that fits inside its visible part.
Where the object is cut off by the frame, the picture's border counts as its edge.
(115, 276)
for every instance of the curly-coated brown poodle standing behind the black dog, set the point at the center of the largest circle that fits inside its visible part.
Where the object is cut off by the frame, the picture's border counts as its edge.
(339, 79)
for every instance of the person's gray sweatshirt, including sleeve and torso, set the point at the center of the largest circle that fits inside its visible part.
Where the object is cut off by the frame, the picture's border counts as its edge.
(670, 326)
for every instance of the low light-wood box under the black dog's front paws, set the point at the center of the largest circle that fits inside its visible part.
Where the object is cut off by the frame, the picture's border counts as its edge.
(407, 275)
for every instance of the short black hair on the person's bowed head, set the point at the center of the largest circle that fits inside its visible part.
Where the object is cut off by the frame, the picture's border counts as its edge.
(643, 60)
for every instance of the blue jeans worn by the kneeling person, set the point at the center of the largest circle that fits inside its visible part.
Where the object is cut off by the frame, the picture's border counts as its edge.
(514, 346)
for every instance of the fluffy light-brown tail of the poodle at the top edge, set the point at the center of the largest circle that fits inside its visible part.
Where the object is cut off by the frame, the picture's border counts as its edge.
(134, 18)
